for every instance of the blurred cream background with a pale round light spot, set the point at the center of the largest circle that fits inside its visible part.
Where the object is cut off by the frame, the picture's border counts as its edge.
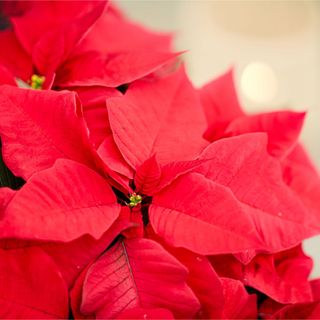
(273, 45)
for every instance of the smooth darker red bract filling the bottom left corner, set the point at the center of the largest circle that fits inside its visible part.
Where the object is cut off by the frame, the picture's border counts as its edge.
(31, 286)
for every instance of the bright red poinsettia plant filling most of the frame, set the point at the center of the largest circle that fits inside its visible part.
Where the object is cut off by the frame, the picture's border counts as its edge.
(127, 193)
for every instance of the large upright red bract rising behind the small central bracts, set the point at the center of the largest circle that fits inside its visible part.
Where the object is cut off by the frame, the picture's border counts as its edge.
(150, 117)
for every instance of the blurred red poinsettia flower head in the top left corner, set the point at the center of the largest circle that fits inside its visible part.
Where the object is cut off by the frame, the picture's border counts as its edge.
(46, 40)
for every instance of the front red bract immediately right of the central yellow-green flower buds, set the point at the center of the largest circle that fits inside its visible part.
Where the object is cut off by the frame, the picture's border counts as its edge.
(210, 208)
